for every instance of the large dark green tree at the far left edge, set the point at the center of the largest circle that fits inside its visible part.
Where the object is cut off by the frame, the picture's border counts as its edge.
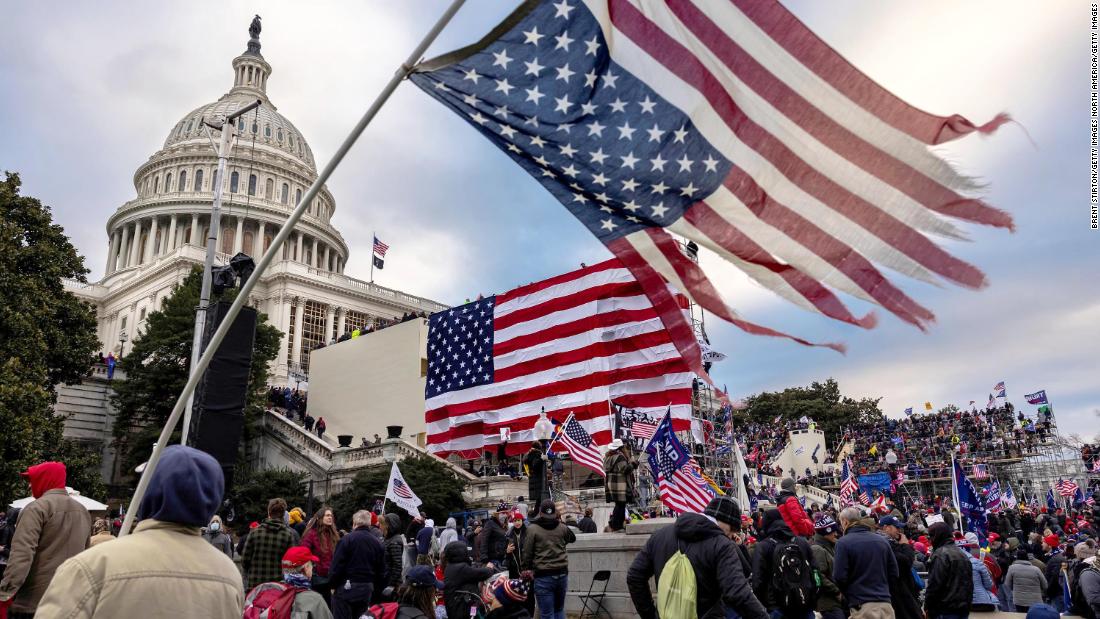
(48, 338)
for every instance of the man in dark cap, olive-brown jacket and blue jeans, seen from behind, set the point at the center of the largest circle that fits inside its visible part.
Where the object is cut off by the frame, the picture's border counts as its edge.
(544, 555)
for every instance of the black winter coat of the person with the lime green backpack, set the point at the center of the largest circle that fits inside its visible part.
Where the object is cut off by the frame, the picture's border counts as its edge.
(720, 577)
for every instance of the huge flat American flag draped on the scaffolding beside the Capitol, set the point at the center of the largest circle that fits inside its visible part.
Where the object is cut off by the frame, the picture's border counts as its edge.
(565, 345)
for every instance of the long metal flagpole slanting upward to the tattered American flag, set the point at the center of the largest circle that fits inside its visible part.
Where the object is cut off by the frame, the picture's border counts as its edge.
(284, 234)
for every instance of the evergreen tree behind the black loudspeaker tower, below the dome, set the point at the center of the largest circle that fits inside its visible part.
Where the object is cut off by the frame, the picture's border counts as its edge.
(158, 368)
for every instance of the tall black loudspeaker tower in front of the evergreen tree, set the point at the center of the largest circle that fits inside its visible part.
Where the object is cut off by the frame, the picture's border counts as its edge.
(218, 417)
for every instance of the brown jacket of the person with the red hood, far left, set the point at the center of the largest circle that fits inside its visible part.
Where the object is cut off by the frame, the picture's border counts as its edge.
(50, 530)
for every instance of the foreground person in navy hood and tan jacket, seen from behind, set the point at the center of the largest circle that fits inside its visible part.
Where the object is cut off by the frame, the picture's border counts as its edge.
(164, 568)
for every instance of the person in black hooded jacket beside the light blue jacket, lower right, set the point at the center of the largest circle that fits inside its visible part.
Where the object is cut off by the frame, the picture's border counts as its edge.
(951, 578)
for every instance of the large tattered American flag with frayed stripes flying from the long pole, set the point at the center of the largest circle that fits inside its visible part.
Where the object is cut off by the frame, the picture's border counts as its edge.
(731, 124)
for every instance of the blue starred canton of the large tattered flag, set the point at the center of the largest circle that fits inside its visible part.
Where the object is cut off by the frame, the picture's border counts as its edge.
(608, 147)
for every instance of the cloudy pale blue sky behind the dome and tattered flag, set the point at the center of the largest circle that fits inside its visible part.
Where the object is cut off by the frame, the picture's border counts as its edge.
(91, 92)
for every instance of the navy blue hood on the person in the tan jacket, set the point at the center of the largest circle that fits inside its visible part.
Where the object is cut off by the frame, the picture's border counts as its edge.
(186, 489)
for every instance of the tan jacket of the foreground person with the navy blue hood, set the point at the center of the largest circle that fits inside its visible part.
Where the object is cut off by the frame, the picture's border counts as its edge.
(162, 570)
